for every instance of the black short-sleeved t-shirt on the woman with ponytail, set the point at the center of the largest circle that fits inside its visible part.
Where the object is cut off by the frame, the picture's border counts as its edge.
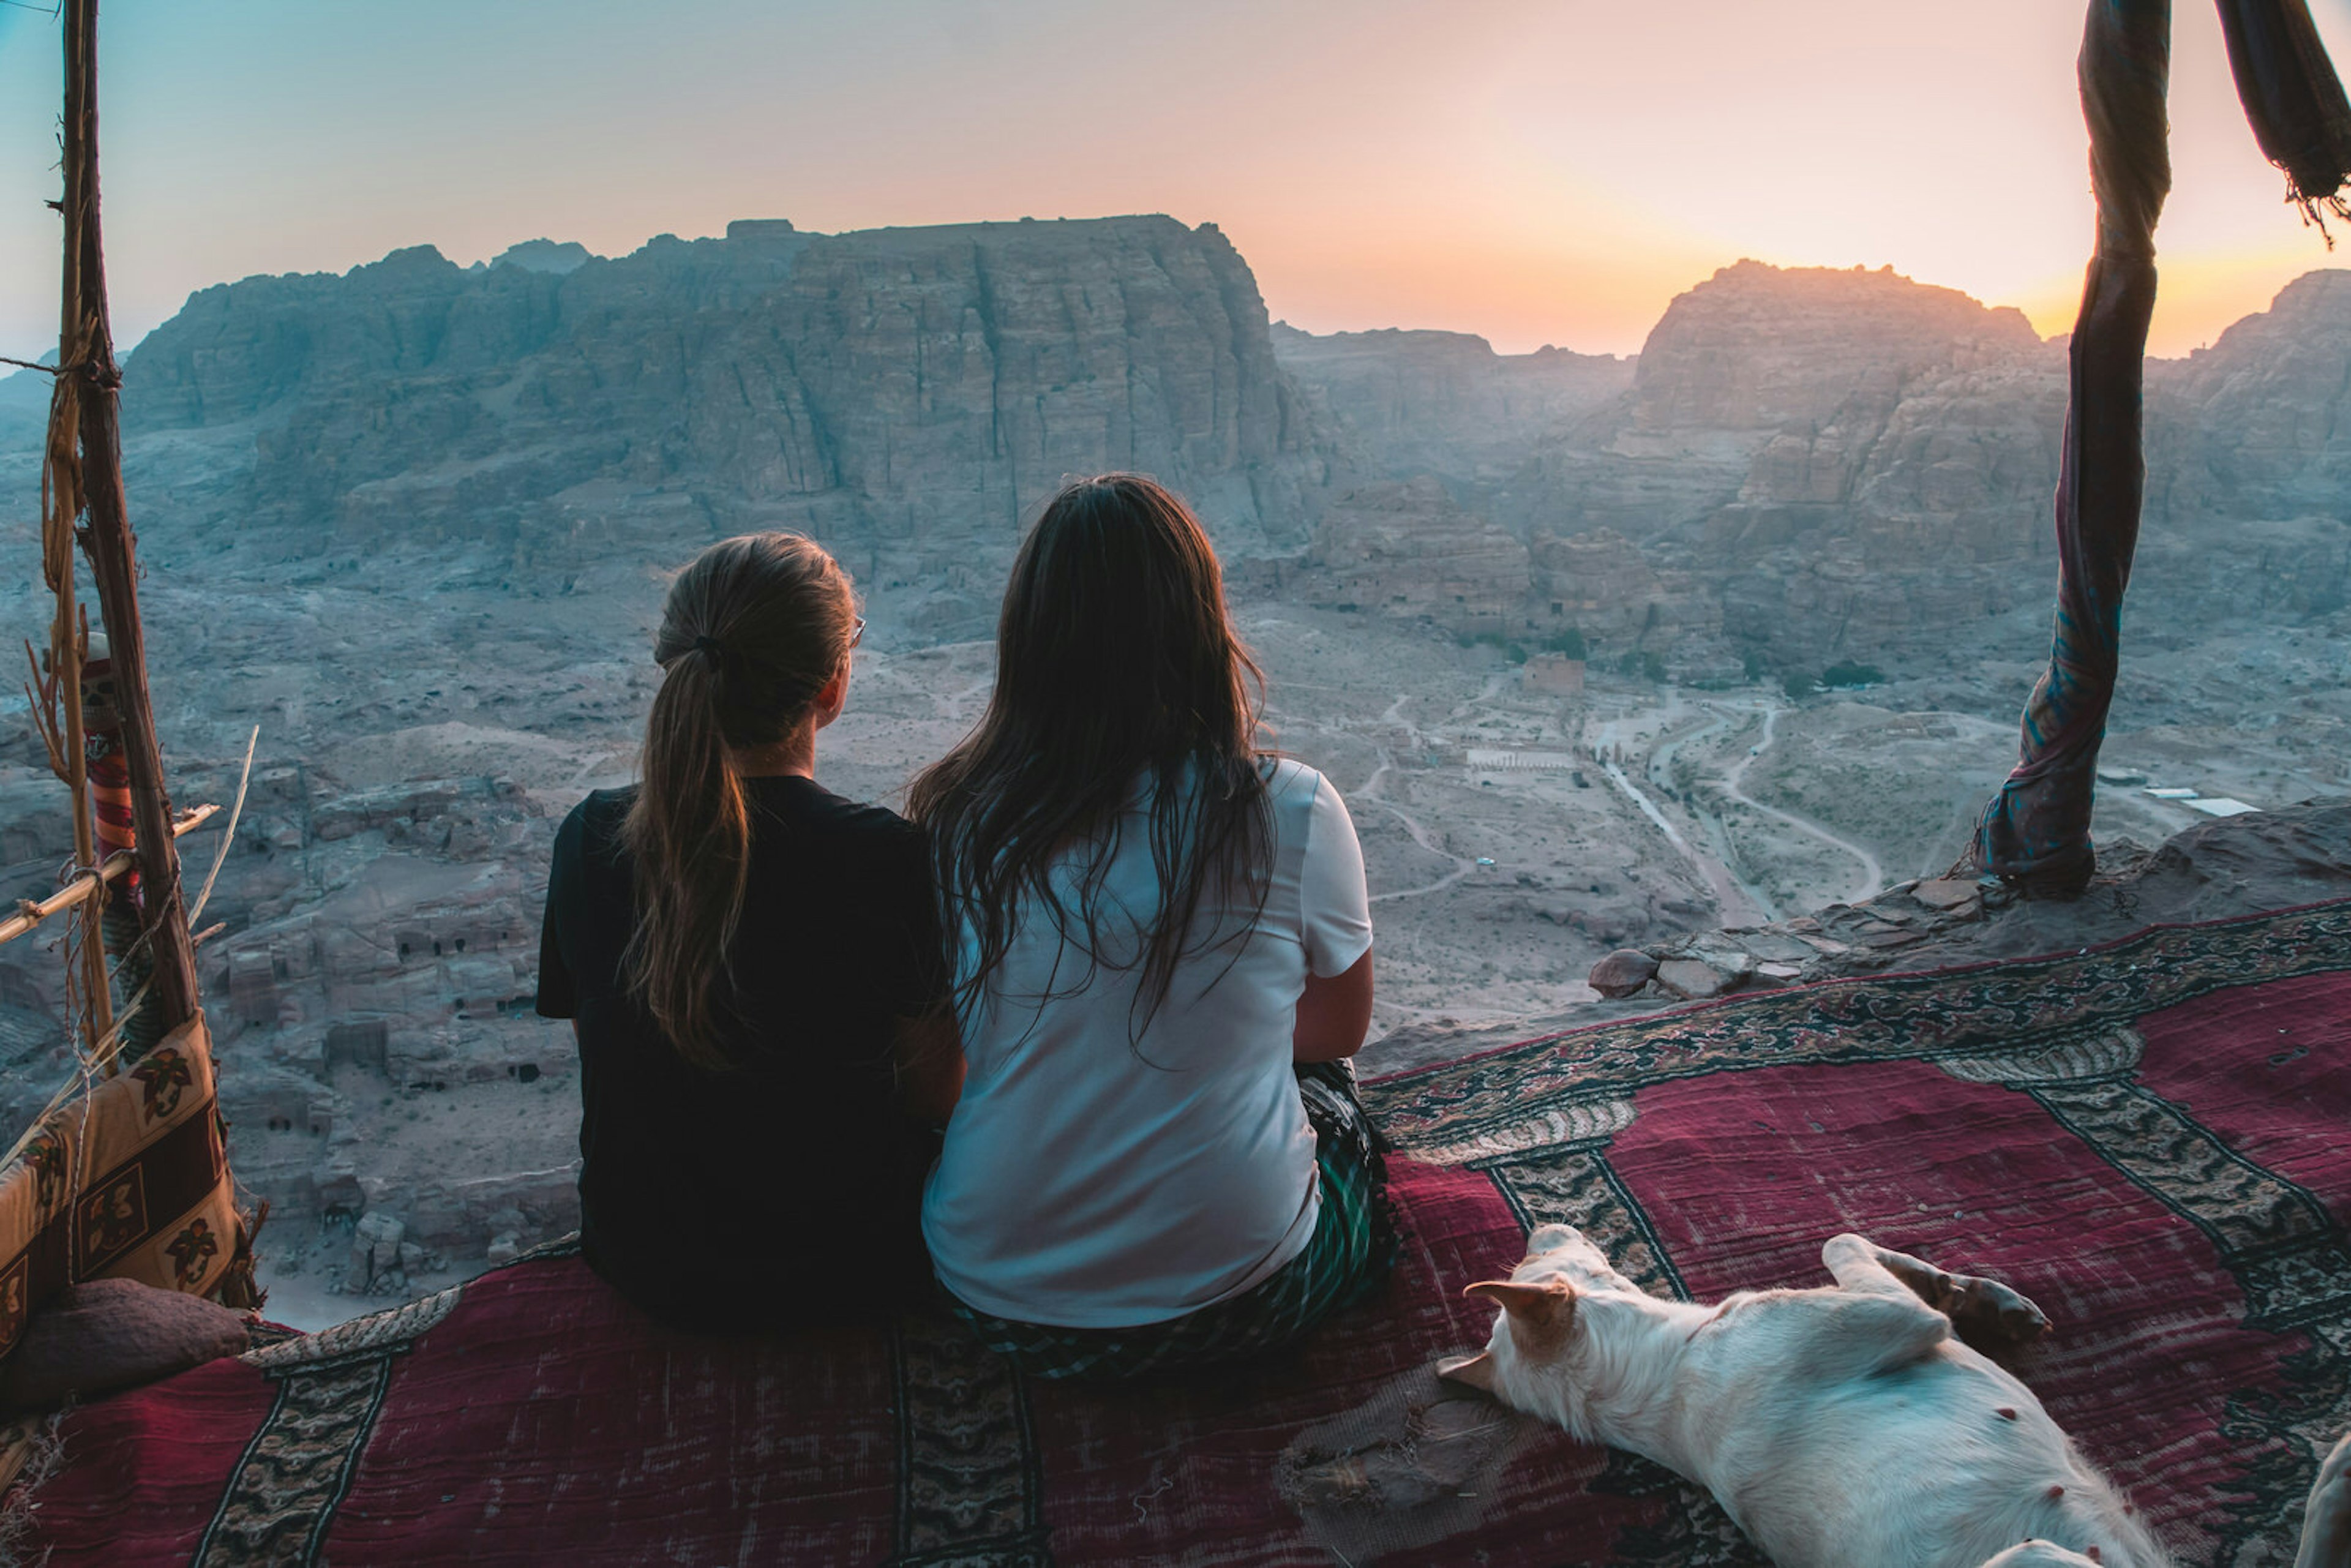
(784, 1191)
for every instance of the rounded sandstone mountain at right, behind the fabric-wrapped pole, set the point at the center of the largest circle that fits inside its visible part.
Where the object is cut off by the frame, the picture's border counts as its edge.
(1861, 467)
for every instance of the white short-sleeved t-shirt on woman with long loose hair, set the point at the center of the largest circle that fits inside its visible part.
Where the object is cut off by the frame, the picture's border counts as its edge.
(1097, 1179)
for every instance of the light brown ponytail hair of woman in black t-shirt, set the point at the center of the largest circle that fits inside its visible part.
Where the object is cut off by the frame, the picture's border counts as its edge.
(749, 638)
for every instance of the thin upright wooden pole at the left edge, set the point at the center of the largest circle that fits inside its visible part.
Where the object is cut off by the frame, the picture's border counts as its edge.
(109, 542)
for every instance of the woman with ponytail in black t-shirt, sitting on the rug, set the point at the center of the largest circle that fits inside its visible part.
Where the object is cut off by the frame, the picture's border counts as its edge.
(753, 972)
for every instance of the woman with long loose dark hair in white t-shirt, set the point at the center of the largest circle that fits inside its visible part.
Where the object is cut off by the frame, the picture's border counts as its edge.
(1163, 965)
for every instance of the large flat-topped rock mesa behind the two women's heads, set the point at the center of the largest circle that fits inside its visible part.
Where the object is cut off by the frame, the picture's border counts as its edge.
(878, 389)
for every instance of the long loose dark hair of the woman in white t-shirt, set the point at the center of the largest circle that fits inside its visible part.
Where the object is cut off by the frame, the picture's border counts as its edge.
(1116, 664)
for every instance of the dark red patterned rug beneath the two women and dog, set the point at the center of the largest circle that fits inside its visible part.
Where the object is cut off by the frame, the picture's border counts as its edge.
(2148, 1139)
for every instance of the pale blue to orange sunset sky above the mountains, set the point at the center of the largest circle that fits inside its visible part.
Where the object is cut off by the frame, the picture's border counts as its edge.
(1532, 170)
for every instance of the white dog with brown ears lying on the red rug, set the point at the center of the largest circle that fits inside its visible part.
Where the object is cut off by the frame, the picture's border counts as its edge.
(1842, 1428)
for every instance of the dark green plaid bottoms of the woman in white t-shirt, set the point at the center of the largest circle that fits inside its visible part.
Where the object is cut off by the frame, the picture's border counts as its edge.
(1353, 1247)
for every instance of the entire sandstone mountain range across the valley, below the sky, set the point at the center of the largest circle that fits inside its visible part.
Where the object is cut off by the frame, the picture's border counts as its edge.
(1800, 467)
